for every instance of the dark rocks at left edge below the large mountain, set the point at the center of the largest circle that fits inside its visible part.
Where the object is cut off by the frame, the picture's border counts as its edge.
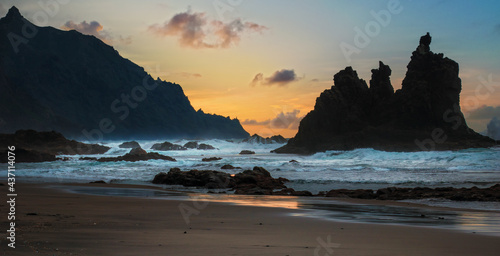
(39, 145)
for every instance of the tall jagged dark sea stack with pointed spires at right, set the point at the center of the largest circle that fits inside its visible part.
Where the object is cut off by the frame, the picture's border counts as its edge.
(423, 115)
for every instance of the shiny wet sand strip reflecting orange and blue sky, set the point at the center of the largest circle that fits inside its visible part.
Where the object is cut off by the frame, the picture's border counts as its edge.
(483, 222)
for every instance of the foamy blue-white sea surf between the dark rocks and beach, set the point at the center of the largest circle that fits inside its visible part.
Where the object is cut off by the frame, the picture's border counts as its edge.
(360, 168)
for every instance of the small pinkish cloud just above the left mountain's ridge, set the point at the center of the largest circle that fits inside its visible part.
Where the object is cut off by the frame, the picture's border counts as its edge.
(96, 29)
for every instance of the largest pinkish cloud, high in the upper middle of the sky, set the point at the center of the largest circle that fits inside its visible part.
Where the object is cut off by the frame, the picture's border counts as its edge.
(194, 30)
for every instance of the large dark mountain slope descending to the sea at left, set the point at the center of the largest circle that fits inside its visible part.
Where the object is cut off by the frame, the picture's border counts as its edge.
(78, 85)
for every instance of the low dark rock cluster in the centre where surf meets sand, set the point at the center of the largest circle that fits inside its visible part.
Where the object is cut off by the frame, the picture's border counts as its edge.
(255, 182)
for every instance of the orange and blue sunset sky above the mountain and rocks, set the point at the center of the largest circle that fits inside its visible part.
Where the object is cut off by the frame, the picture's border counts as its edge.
(266, 61)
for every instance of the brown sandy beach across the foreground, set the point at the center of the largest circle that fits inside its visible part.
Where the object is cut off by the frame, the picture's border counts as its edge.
(50, 221)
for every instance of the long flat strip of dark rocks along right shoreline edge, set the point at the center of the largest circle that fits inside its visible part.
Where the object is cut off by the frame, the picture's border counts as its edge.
(394, 193)
